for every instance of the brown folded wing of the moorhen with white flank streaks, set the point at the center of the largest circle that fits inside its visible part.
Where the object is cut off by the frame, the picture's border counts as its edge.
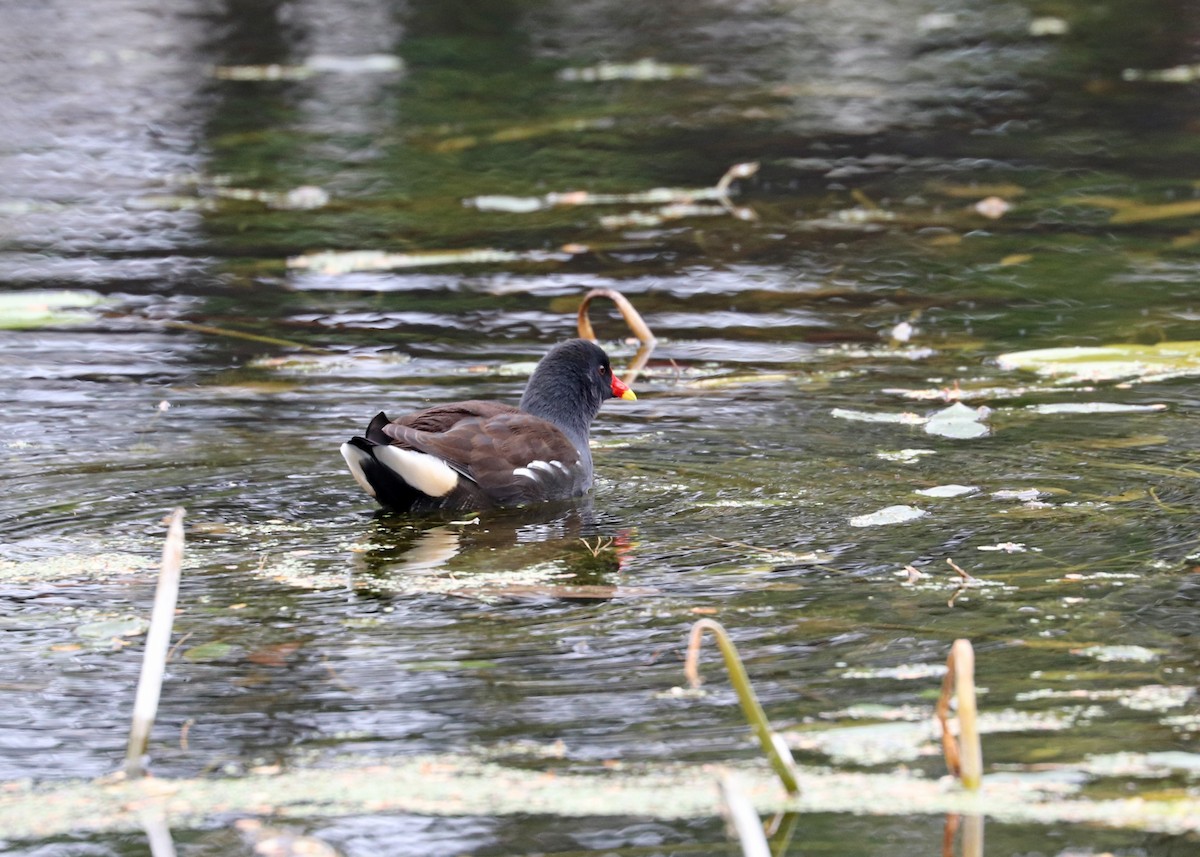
(513, 458)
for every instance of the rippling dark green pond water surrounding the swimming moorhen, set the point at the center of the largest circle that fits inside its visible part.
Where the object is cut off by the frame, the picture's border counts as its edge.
(940, 184)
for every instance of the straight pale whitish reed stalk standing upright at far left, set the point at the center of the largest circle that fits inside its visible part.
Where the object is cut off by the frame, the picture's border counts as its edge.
(154, 662)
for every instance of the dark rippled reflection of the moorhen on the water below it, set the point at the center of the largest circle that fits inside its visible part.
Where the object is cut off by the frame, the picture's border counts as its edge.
(547, 550)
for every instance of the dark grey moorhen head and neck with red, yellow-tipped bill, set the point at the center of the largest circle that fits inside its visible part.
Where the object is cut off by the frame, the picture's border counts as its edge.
(569, 386)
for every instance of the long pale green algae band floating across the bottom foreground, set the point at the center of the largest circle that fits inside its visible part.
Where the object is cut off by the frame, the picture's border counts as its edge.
(463, 787)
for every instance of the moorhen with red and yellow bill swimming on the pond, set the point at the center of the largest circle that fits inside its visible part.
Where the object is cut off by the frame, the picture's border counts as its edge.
(477, 456)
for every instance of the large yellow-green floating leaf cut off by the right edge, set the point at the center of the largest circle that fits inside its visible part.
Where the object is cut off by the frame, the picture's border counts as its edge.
(1079, 364)
